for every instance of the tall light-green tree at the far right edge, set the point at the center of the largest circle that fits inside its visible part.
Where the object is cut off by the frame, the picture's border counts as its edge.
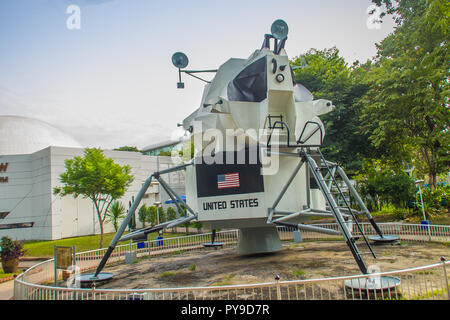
(407, 104)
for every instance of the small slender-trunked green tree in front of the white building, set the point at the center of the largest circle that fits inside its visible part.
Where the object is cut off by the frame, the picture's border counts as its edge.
(97, 178)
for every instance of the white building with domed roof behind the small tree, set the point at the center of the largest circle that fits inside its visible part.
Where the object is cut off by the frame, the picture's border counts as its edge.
(32, 155)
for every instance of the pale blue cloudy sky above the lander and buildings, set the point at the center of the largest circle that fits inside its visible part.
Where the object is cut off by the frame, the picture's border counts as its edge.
(111, 83)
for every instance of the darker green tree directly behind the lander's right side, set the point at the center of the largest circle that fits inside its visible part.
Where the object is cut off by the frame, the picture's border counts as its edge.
(326, 74)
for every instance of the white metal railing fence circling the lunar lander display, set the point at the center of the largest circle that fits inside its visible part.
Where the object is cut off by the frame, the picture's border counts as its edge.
(427, 282)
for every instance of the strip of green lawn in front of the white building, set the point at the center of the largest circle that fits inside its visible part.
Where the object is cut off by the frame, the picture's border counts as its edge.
(86, 243)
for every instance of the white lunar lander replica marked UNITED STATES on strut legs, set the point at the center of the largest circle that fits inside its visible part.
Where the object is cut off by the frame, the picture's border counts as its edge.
(258, 163)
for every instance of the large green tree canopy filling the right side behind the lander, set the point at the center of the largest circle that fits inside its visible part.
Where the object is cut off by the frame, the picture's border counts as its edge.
(394, 108)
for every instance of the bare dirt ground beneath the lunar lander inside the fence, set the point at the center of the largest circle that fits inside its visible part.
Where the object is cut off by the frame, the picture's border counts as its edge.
(306, 260)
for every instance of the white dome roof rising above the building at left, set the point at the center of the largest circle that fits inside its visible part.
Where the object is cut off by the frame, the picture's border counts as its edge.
(22, 135)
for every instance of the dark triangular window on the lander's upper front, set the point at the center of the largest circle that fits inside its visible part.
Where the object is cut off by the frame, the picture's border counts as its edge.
(250, 85)
